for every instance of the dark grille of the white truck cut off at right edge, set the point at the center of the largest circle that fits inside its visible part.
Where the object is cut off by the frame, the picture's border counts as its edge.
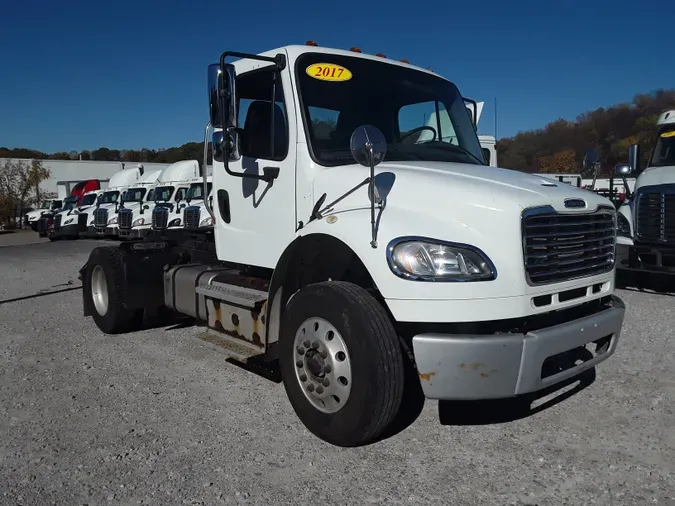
(655, 216)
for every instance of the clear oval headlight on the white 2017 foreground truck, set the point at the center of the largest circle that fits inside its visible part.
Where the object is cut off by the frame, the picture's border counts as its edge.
(430, 260)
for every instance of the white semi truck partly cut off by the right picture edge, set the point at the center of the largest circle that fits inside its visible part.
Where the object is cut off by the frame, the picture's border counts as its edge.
(646, 221)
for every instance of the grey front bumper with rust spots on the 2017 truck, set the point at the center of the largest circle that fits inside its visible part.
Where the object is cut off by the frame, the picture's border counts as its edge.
(493, 366)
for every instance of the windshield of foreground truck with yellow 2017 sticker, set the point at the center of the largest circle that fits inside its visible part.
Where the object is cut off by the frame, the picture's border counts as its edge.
(423, 117)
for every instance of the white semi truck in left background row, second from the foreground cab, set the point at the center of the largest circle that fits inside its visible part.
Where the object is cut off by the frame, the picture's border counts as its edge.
(165, 210)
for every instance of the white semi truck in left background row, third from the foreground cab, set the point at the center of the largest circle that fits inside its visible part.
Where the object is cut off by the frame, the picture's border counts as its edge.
(136, 203)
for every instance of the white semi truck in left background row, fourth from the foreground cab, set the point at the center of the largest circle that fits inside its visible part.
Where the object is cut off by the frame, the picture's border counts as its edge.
(101, 221)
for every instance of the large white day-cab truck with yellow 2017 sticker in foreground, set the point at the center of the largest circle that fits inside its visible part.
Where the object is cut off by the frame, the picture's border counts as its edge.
(348, 255)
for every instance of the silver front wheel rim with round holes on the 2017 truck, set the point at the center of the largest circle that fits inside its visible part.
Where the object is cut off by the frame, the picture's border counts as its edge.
(322, 365)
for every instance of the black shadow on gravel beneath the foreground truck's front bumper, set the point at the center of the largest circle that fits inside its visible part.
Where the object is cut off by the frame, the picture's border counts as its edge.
(512, 409)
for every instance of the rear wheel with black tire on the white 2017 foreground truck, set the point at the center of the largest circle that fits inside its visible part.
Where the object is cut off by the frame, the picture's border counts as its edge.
(103, 285)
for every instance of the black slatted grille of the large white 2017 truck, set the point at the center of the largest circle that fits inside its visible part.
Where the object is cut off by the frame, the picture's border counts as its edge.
(560, 247)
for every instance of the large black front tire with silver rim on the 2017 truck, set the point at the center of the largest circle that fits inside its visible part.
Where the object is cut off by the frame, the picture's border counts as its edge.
(341, 363)
